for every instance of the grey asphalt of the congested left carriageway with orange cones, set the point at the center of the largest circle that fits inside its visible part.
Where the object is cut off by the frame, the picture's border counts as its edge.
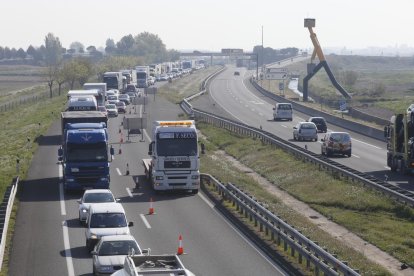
(49, 240)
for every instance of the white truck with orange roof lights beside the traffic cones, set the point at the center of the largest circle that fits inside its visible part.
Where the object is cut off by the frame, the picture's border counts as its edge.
(174, 162)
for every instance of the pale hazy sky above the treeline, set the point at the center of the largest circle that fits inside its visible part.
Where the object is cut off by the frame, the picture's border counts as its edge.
(210, 24)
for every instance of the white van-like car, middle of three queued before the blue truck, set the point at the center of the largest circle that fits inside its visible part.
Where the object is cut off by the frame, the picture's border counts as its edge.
(103, 220)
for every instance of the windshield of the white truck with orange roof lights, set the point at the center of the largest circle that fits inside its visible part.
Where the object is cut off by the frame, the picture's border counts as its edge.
(177, 147)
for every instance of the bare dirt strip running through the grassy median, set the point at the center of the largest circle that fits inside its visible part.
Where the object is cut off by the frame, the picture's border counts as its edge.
(342, 234)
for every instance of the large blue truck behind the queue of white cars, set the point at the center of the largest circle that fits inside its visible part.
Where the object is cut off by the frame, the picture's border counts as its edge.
(83, 153)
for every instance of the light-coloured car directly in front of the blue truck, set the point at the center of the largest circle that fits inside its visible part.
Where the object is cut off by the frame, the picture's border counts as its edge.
(93, 196)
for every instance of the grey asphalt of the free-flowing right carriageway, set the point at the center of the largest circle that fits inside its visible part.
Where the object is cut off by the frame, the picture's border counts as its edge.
(235, 96)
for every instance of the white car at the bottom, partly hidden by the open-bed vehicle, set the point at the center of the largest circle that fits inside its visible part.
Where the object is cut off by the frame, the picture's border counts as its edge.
(110, 252)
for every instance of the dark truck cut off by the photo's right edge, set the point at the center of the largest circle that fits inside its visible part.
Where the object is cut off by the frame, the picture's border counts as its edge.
(399, 135)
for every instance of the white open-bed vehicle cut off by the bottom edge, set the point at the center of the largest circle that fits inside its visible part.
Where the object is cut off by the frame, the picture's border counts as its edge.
(136, 265)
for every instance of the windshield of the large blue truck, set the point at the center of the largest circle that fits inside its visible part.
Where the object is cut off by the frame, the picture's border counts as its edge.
(93, 152)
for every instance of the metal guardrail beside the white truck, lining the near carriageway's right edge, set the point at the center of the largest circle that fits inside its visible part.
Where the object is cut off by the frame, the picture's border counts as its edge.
(279, 231)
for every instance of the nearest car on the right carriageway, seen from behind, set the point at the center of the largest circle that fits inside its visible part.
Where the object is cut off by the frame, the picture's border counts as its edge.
(336, 143)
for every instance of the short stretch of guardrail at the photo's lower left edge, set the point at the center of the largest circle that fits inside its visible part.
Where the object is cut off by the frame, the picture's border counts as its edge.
(5, 211)
